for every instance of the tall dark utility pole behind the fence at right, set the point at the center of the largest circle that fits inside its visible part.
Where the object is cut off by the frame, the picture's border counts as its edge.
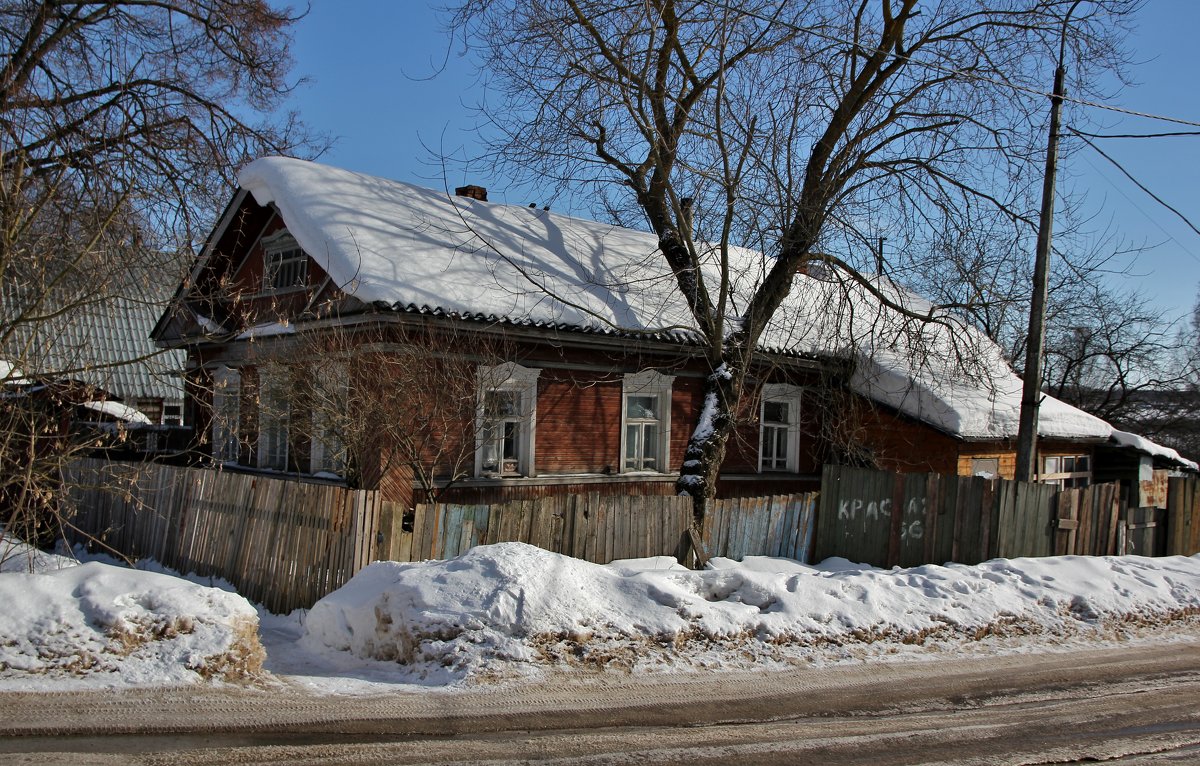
(1035, 344)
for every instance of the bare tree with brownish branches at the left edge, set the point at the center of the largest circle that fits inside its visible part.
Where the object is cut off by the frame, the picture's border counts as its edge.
(122, 124)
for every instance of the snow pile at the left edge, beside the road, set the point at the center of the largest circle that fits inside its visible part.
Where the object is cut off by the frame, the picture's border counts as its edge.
(109, 626)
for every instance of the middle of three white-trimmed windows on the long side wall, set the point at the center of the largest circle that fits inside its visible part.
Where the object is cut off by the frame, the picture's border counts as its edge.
(646, 422)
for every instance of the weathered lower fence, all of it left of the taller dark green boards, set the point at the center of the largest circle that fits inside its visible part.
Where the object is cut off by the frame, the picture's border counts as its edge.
(285, 543)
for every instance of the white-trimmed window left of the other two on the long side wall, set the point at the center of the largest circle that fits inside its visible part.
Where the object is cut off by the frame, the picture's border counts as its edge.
(506, 421)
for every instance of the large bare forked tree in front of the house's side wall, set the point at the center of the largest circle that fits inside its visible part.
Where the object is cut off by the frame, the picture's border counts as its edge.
(785, 127)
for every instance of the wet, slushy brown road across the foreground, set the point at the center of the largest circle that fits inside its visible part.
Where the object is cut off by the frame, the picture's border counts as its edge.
(1135, 705)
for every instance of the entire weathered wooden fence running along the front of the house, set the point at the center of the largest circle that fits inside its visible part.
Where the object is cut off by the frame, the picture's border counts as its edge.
(286, 544)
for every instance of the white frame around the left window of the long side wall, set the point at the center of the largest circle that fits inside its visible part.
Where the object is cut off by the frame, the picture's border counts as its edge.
(513, 379)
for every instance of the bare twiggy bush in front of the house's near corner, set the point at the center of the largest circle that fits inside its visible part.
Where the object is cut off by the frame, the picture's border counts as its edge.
(374, 404)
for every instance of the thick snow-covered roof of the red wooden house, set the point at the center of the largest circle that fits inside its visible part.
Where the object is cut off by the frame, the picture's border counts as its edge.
(409, 247)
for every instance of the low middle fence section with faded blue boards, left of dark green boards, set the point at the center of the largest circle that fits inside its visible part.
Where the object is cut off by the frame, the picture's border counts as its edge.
(603, 529)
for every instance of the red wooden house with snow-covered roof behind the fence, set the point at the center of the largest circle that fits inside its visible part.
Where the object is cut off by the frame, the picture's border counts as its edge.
(580, 369)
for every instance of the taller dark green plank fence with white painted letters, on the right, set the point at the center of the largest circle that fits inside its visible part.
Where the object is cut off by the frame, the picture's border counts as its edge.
(886, 519)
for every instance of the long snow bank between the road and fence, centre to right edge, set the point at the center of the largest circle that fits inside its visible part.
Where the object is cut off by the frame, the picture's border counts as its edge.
(508, 606)
